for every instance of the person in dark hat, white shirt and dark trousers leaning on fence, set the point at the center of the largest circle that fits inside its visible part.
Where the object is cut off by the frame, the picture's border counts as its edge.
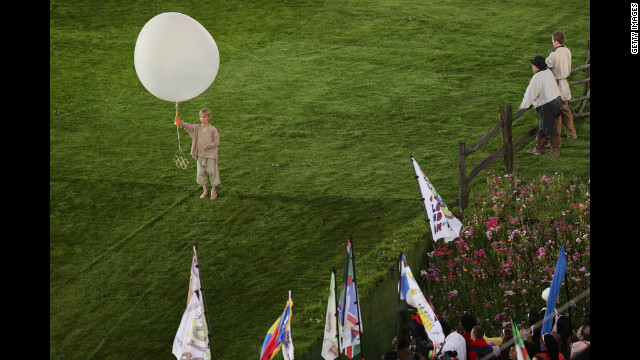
(543, 93)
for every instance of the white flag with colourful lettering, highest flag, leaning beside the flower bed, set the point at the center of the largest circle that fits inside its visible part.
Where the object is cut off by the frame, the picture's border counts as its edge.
(443, 223)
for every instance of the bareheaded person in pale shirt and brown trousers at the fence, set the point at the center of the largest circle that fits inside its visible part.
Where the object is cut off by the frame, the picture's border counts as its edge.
(559, 62)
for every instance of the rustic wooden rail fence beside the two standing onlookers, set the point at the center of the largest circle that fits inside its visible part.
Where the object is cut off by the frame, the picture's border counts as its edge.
(505, 125)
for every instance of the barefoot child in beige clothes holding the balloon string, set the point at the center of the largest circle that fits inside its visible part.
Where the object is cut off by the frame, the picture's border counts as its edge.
(204, 149)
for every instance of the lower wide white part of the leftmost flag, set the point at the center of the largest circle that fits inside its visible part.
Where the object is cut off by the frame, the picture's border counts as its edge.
(191, 341)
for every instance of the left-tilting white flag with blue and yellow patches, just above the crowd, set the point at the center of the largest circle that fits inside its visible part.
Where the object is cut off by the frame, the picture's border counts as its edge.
(410, 291)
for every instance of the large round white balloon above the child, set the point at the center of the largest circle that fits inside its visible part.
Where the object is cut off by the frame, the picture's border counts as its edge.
(176, 58)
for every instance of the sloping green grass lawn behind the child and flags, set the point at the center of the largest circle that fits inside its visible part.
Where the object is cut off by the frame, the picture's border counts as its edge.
(318, 105)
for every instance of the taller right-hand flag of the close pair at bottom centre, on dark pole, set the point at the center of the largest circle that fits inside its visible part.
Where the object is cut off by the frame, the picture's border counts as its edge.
(349, 308)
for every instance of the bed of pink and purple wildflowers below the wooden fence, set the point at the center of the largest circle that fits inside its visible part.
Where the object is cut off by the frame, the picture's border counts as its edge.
(508, 249)
